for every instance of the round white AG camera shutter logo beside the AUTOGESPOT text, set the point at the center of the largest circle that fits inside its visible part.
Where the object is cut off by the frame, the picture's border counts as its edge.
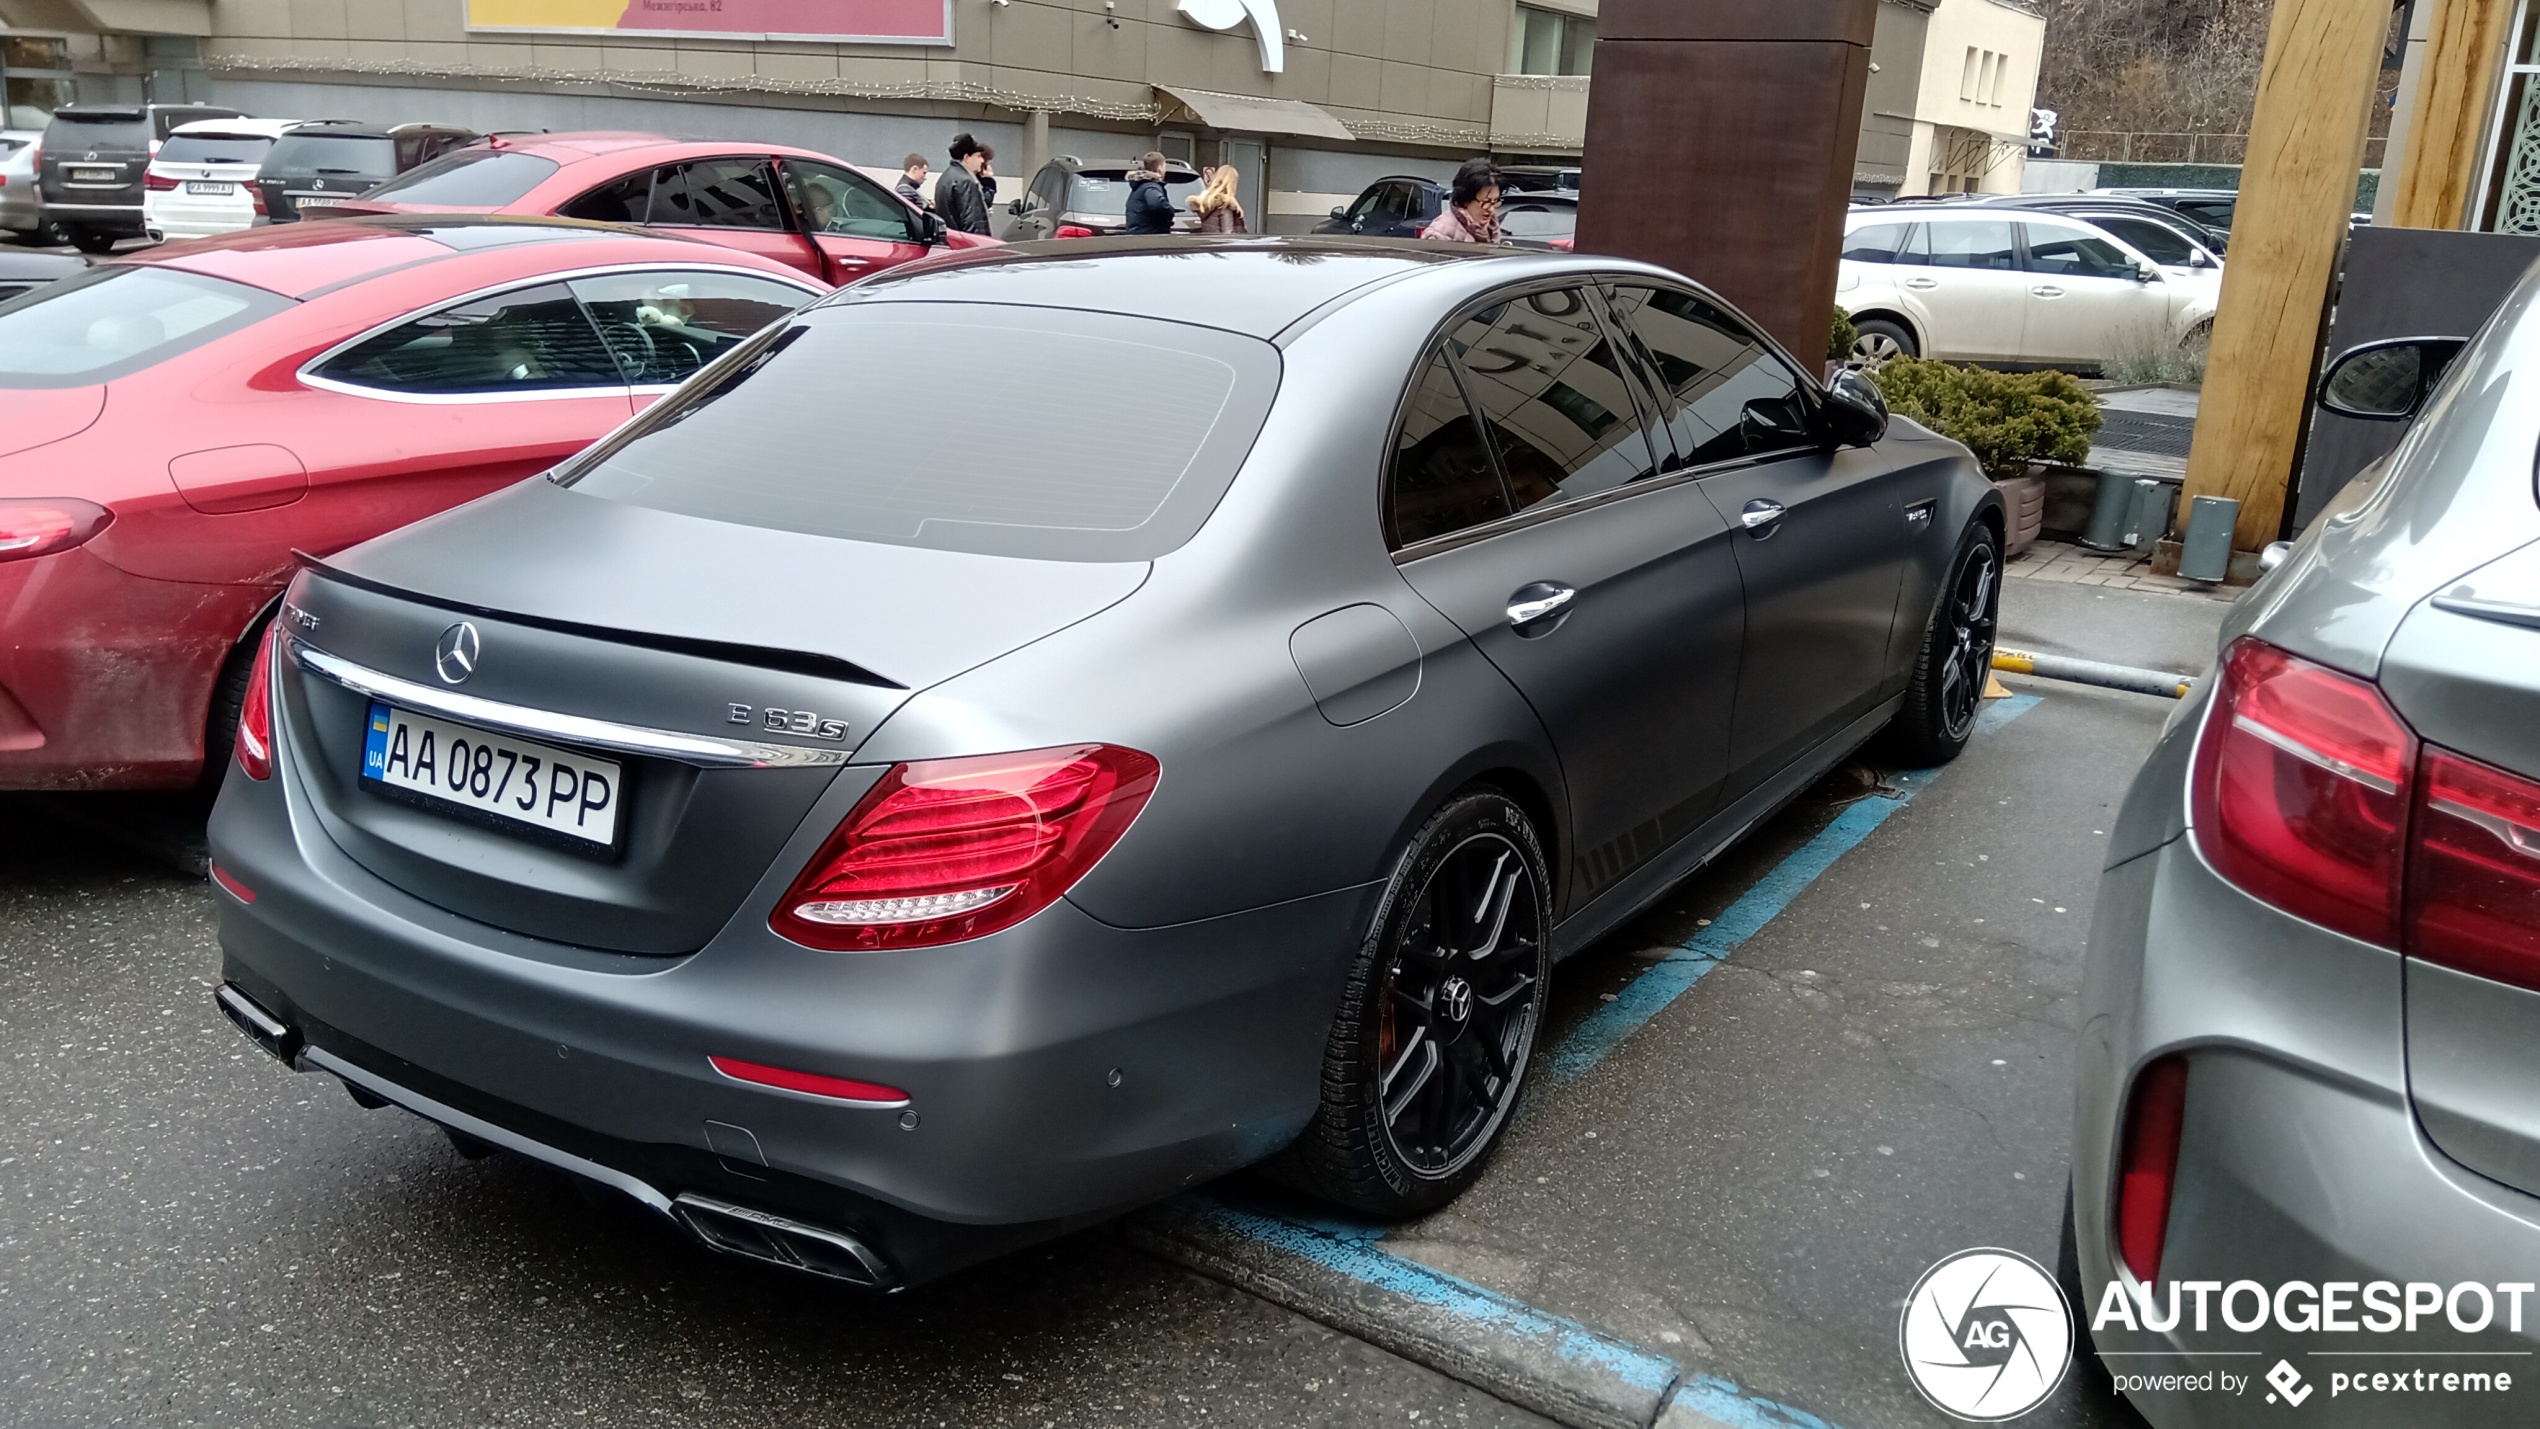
(1988, 1336)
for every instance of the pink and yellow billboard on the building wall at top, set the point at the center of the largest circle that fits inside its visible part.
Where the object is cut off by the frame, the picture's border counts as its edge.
(860, 22)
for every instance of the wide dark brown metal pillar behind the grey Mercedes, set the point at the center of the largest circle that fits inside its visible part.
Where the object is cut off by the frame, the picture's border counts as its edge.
(1721, 141)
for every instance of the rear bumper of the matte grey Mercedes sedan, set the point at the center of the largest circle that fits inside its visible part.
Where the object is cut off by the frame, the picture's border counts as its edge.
(1007, 1047)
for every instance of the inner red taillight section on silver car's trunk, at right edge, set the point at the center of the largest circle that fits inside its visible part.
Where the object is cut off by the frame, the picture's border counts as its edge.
(2475, 869)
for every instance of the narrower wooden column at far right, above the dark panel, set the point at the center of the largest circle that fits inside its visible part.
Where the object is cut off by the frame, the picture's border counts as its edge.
(2455, 85)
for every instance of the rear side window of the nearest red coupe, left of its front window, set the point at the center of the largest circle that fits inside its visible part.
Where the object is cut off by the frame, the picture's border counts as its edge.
(530, 339)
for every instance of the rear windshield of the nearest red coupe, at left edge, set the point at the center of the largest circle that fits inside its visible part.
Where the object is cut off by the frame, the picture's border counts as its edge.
(118, 321)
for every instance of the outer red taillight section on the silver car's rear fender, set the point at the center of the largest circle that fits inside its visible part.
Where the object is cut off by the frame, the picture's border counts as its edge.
(2303, 791)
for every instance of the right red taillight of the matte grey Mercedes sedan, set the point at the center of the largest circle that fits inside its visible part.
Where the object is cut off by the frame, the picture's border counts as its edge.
(956, 849)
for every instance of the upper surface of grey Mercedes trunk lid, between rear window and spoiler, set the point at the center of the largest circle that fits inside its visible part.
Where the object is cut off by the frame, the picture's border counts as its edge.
(900, 613)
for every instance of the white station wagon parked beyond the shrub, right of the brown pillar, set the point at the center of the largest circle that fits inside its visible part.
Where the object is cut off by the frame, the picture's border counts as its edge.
(2010, 288)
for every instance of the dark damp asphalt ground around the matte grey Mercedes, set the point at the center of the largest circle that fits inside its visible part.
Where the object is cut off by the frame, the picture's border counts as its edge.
(1746, 1184)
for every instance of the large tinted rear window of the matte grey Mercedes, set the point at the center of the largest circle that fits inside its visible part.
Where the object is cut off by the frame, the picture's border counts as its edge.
(862, 423)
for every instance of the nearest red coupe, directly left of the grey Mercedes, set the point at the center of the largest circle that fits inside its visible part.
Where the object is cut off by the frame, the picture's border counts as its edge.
(293, 390)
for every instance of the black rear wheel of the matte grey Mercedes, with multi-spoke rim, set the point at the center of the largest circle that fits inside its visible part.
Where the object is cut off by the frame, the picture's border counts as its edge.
(1436, 1032)
